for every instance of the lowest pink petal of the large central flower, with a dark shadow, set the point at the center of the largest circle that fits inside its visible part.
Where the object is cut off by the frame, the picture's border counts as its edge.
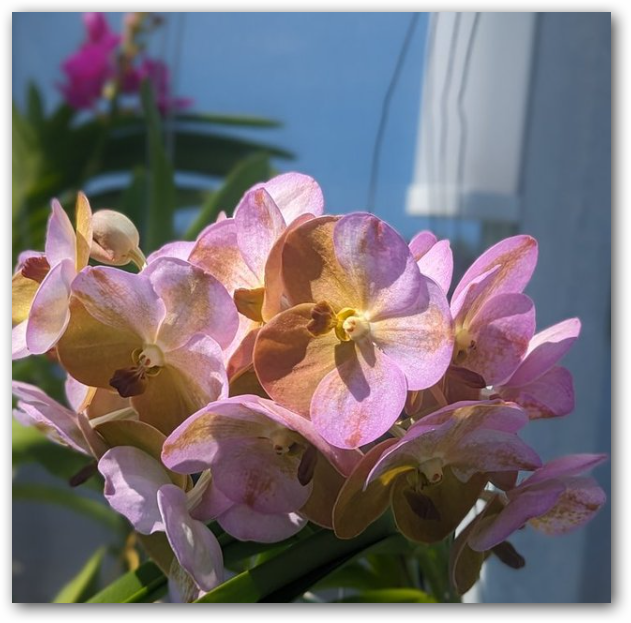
(359, 399)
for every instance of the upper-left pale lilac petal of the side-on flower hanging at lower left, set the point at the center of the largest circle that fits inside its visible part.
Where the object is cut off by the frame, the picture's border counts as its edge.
(132, 480)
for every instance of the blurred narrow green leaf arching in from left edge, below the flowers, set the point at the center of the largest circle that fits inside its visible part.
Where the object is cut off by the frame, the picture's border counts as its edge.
(69, 498)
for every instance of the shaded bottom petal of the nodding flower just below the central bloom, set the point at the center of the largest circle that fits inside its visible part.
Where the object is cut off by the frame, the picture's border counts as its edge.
(245, 524)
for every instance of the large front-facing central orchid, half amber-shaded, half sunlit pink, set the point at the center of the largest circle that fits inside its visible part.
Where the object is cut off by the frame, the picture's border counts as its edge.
(365, 327)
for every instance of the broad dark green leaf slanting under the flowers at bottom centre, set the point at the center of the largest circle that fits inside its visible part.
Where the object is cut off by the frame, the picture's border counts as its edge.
(301, 565)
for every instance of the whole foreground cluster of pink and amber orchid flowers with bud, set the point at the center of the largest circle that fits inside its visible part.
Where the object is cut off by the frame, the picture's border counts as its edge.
(289, 367)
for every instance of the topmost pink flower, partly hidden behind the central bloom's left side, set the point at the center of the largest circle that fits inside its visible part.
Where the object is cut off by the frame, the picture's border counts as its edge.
(244, 252)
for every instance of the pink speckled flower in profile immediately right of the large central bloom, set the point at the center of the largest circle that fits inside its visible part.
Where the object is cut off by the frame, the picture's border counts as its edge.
(494, 320)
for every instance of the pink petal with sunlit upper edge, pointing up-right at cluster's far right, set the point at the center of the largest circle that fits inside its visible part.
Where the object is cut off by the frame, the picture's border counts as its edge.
(545, 350)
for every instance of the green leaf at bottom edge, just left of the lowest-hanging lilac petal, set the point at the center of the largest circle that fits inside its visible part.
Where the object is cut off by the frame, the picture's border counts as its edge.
(144, 584)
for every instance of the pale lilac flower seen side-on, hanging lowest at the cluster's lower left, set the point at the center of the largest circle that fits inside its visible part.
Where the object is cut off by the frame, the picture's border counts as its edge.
(141, 489)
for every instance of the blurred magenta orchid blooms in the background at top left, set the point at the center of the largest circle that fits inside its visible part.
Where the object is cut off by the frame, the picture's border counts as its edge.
(108, 64)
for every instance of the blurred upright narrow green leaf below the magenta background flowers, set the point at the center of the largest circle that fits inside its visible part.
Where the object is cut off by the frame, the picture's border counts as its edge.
(161, 183)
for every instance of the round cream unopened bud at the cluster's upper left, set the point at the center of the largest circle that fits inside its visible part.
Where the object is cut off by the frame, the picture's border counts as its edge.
(115, 240)
